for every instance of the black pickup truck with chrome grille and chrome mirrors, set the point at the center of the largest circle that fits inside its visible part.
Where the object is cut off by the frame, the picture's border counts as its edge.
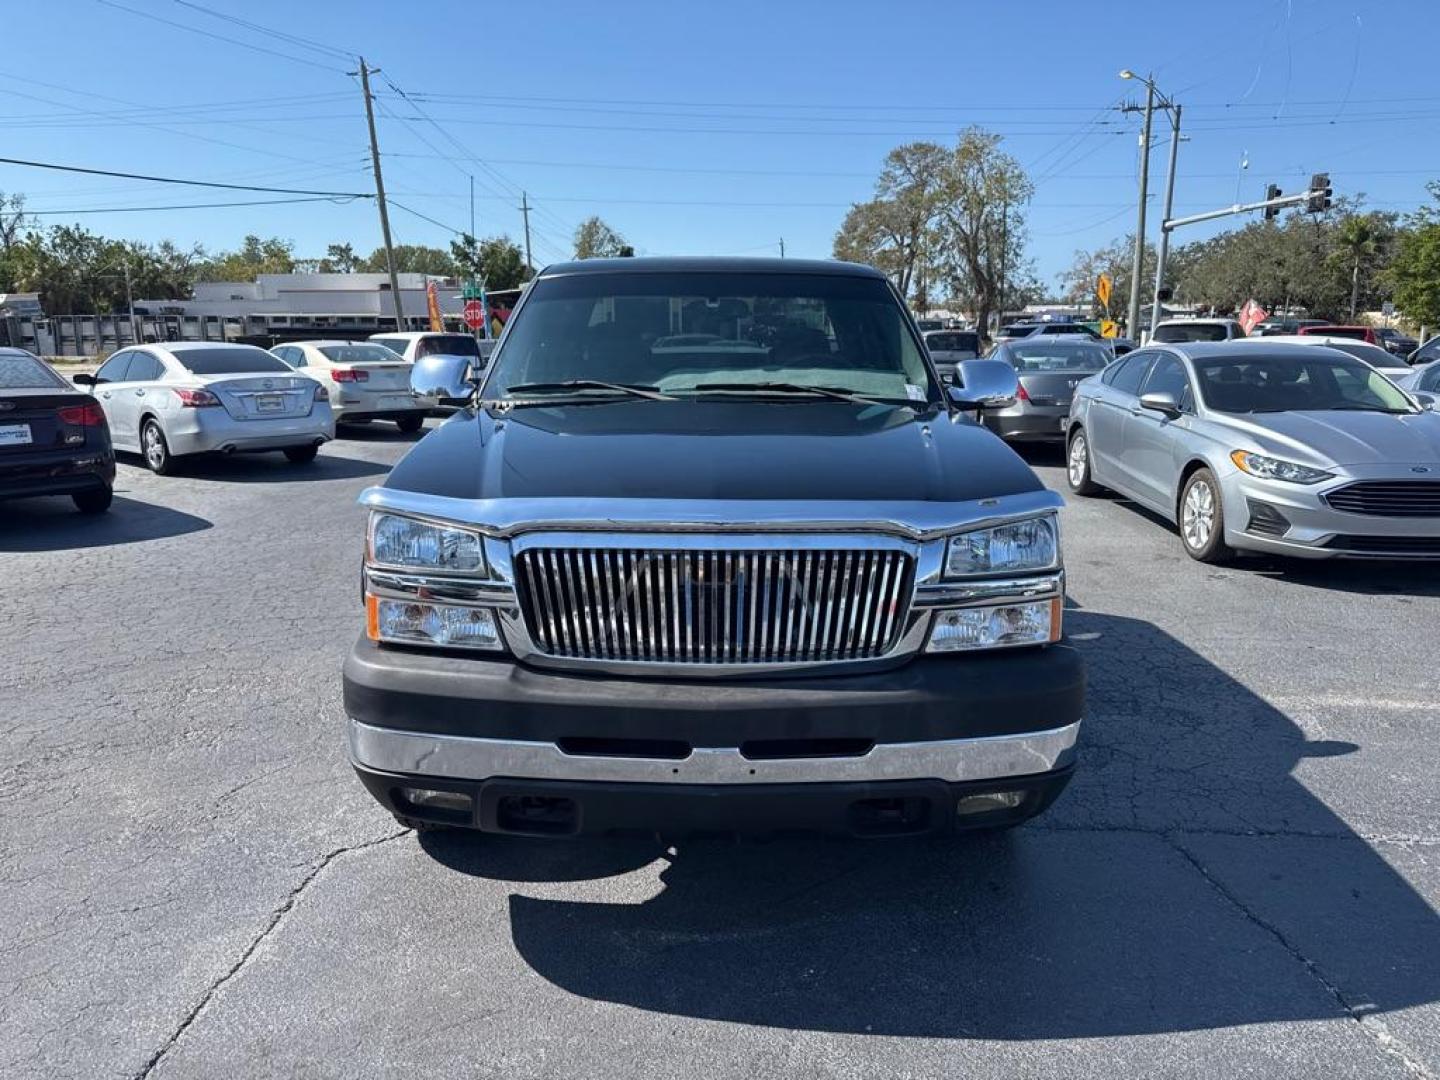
(709, 546)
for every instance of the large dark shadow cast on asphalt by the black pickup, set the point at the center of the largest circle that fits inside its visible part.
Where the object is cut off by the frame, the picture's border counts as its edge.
(1186, 882)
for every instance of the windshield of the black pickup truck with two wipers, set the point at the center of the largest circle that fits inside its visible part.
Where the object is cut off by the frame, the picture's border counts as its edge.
(712, 332)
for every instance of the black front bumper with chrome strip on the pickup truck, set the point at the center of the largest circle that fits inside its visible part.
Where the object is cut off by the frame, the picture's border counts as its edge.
(823, 752)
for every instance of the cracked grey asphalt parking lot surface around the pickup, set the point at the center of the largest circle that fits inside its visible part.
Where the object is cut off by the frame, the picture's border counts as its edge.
(1242, 881)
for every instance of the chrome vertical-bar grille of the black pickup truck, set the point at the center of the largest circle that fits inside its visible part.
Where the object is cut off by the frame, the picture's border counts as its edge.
(714, 607)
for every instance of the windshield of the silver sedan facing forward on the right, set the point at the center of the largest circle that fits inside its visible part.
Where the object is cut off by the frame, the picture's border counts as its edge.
(1285, 384)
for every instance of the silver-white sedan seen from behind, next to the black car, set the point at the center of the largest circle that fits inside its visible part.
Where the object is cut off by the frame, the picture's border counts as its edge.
(182, 398)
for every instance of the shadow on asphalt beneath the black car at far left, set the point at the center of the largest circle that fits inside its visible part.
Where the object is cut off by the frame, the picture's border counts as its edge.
(54, 525)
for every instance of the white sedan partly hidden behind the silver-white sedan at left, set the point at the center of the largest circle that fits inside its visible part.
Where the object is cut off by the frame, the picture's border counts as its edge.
(366, 381)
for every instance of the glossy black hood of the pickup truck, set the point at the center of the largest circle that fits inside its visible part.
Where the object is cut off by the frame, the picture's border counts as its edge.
(803, 451)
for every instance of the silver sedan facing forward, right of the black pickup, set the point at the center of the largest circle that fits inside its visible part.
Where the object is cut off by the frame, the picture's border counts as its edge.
(1295, 450)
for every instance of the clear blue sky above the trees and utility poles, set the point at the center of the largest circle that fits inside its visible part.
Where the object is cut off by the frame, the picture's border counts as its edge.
(699, 127)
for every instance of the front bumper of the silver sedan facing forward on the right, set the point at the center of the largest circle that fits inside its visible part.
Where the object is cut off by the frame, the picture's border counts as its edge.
(1314, 529)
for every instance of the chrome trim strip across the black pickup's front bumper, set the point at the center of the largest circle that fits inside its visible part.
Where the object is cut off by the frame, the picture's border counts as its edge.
(460, 758)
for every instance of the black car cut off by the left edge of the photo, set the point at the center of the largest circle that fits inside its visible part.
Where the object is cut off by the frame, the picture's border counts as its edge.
(54, 438)
